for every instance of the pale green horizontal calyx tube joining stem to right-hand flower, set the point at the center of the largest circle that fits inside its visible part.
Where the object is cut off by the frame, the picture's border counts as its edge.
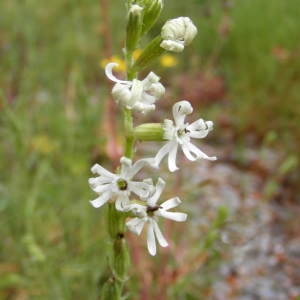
(149, 132)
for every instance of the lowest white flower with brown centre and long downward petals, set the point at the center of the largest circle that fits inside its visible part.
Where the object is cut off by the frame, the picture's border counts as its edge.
(149, 214)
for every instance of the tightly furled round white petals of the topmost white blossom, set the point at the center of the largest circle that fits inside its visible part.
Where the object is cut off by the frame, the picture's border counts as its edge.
(177, 33)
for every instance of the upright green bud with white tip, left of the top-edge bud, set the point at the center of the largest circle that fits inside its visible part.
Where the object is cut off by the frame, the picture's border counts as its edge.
(134, 27)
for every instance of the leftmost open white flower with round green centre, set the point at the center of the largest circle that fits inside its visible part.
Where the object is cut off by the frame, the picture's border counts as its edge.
(118, 186)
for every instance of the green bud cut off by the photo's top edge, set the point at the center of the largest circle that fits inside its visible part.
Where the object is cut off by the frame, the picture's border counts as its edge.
(152, 10)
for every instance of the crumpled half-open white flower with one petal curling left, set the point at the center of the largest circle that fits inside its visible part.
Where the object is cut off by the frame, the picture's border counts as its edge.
(139, 95)
